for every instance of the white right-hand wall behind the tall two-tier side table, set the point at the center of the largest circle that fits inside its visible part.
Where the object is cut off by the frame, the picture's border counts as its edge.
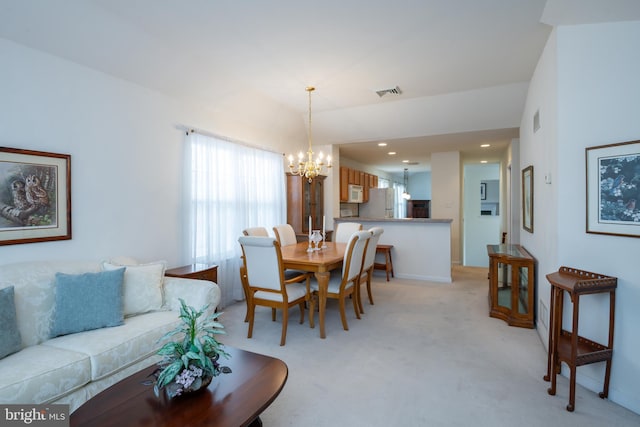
(587, 89)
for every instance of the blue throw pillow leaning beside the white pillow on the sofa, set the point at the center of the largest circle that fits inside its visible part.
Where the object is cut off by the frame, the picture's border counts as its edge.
(87, 301)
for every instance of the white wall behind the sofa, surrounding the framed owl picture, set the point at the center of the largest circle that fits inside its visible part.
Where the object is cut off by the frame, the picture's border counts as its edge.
(126, 154)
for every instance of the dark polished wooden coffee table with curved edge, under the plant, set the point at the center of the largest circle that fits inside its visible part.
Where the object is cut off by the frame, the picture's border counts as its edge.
(235, 399)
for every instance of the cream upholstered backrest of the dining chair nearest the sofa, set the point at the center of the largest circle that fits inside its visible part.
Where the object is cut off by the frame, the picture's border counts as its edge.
(262, 259)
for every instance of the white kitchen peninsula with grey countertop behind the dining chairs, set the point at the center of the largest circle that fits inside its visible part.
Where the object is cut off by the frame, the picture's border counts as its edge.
(422, 246)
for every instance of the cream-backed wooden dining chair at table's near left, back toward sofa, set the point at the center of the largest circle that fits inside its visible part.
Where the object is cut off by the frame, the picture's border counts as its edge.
(266, 285)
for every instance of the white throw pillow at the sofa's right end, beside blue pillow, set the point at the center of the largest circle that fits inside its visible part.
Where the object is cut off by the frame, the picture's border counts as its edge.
(142, 286)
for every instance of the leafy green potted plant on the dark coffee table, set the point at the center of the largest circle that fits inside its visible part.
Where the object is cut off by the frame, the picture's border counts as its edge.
(191, 363)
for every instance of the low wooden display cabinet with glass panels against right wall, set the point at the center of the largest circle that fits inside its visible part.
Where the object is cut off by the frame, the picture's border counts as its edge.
(511, 285)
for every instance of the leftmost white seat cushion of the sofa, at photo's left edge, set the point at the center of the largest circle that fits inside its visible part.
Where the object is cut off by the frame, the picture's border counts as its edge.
(40, 374)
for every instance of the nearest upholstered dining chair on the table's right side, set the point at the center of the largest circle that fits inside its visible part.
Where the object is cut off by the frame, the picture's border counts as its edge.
(343, 284)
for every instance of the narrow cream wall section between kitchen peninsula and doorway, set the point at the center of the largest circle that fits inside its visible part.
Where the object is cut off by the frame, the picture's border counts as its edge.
(446, 177)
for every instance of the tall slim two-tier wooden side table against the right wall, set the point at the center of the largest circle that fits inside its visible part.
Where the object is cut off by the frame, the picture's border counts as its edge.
(569, 347)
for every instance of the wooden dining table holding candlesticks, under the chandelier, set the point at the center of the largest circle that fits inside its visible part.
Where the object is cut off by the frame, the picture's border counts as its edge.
(320, 262)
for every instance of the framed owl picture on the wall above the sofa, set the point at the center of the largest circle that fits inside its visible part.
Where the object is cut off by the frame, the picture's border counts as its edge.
(35, 196)
